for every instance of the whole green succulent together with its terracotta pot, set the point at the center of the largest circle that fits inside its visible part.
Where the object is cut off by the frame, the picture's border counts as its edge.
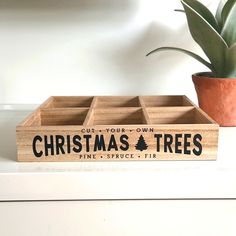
(216, 35)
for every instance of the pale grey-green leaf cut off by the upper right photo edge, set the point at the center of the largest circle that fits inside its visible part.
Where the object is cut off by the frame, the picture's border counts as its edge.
(229, 28)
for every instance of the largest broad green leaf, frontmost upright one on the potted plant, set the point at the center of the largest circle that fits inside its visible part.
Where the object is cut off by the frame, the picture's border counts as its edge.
(208, 38)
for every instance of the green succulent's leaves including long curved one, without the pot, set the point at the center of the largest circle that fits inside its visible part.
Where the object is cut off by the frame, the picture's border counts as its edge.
(216, 35)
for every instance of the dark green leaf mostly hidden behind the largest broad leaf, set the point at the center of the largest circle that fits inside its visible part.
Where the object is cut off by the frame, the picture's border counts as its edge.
(204, 12)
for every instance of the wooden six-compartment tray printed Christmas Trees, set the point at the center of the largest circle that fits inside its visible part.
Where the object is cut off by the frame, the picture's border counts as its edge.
(112, 128)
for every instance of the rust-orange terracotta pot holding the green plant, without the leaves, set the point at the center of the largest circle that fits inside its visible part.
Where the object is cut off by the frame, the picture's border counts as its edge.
(217, 97)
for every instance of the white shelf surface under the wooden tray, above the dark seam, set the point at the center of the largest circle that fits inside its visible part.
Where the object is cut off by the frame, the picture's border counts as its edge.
(112, 180)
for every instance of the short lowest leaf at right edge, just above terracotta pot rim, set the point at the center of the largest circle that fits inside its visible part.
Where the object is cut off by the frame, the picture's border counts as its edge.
(231, 61)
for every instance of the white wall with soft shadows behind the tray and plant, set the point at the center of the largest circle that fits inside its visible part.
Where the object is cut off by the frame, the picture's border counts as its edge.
(85, 47)
